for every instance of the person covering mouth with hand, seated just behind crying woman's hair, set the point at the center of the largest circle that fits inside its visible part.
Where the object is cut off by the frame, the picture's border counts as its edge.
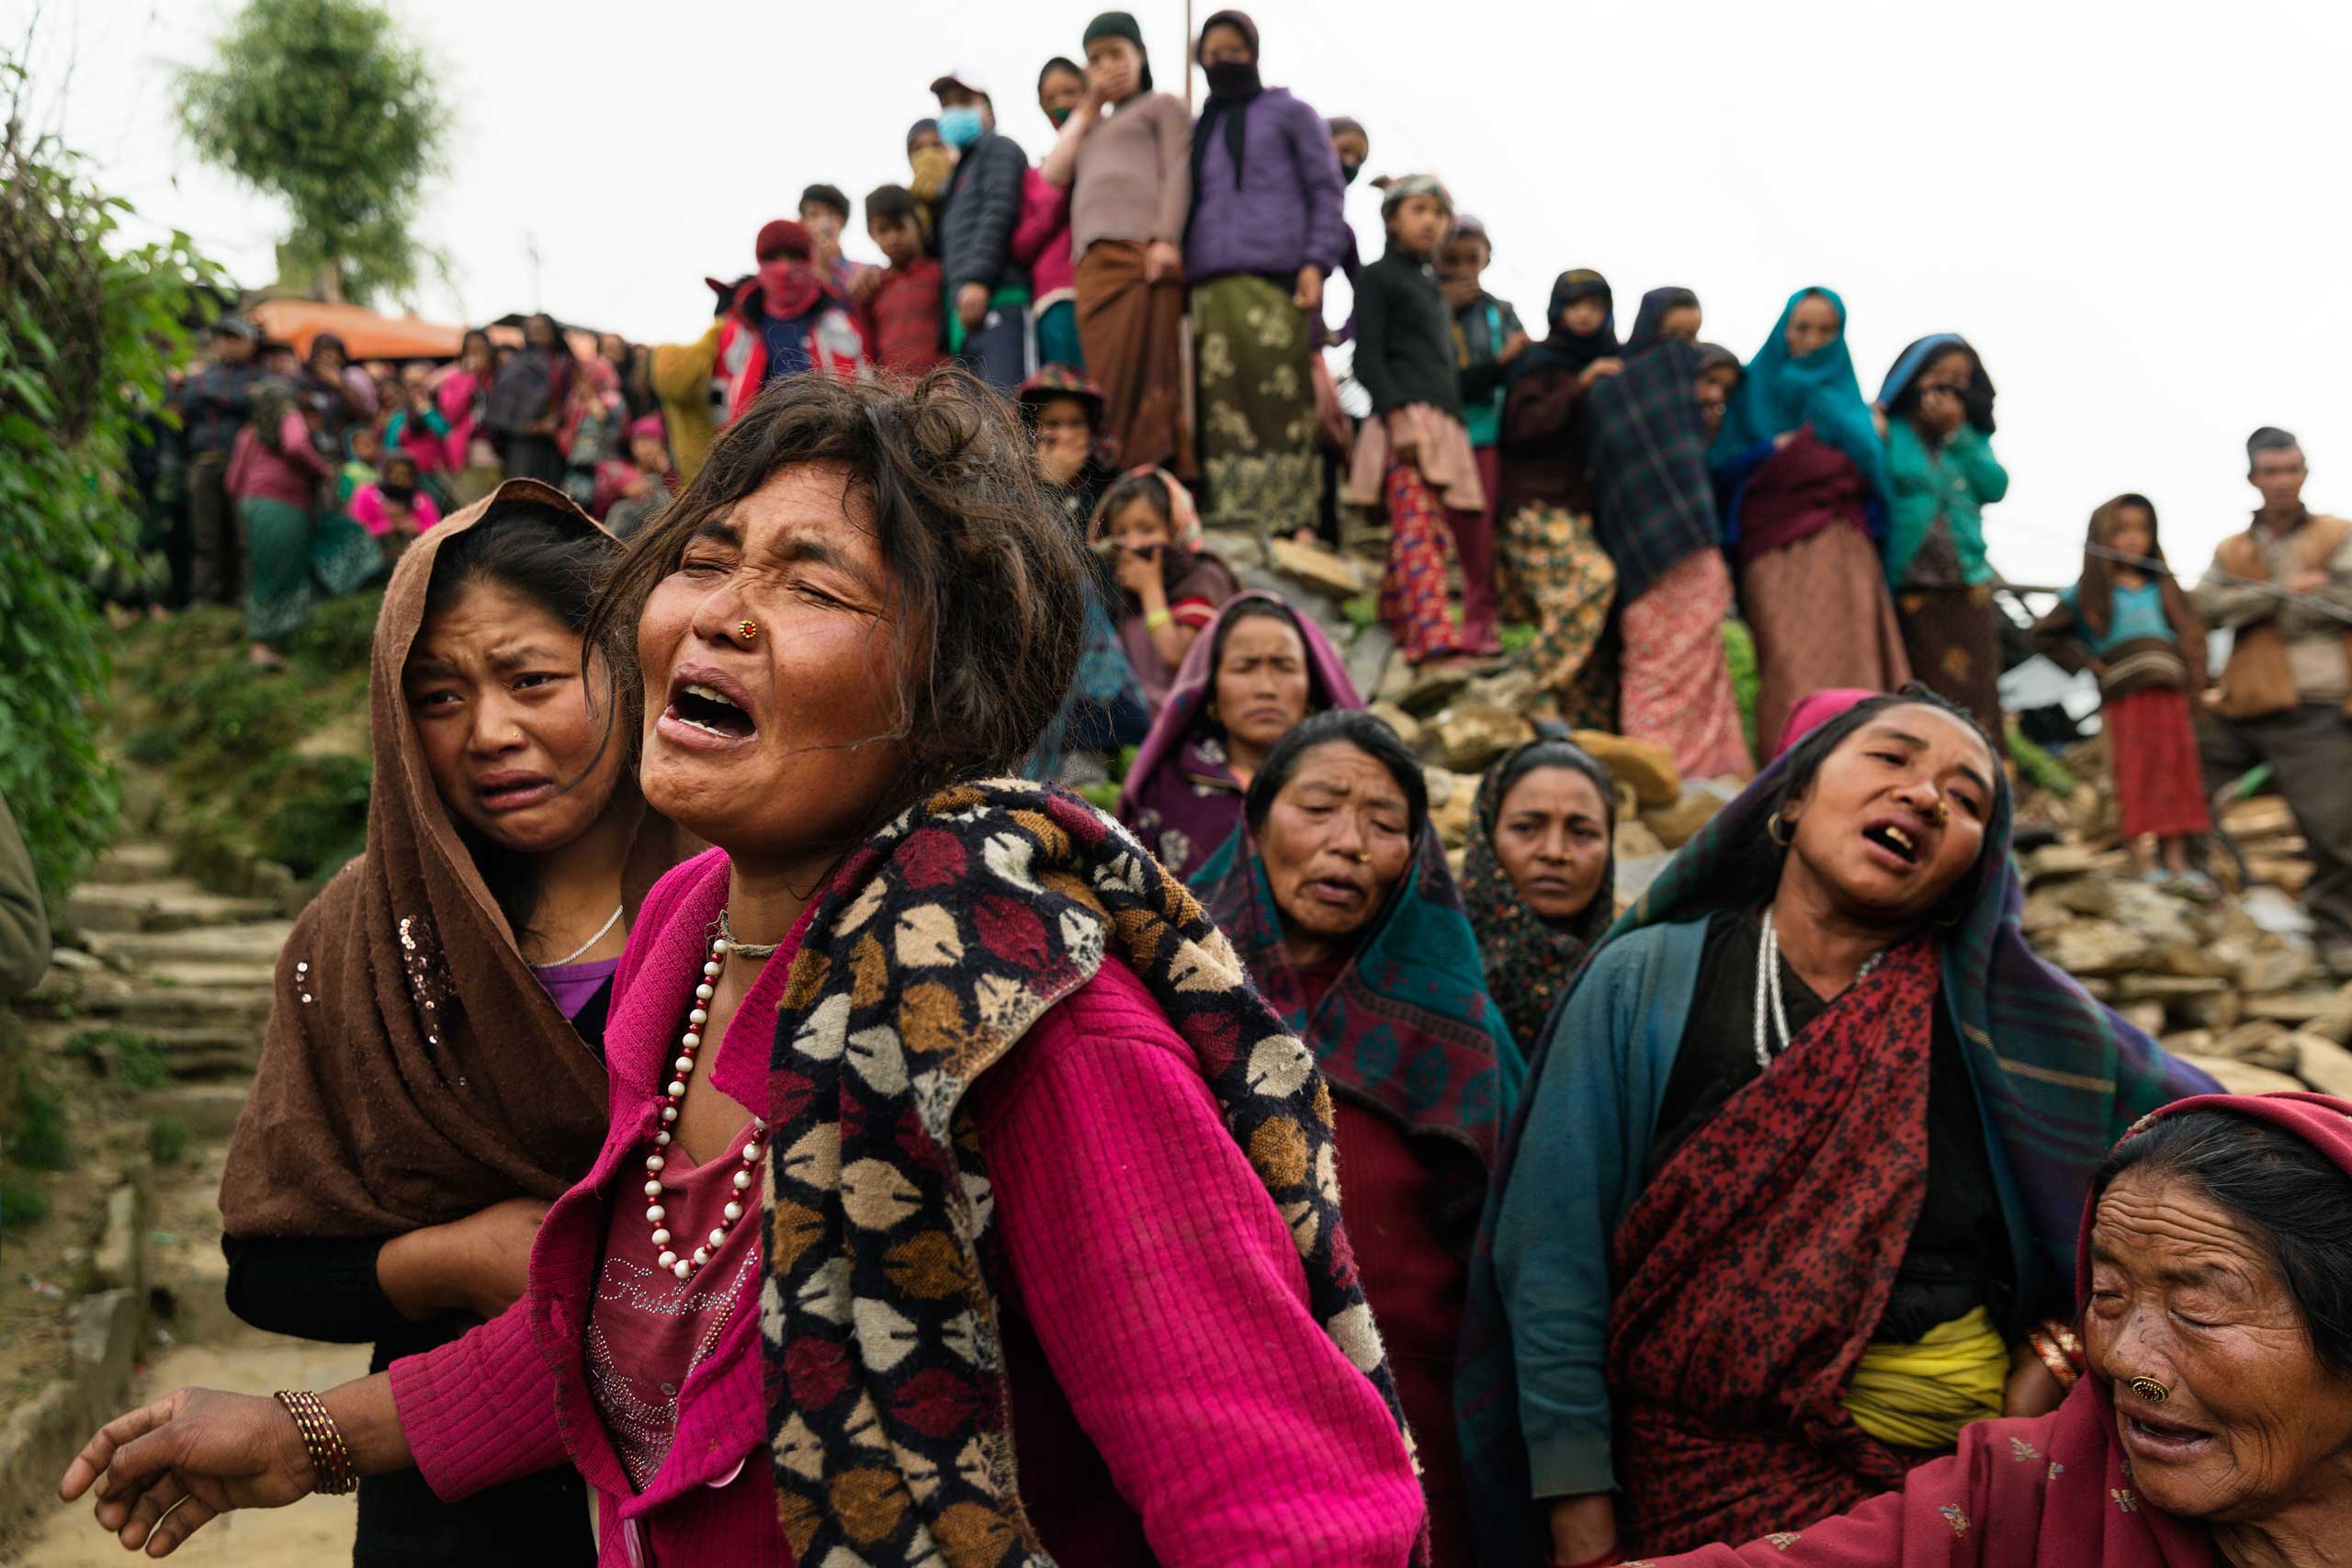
(1170, 589)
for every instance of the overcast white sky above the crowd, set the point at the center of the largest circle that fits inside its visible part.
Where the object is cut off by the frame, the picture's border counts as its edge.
(2132, 210)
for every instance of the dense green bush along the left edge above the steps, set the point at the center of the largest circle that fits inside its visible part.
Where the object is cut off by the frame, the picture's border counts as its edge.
(88, 330)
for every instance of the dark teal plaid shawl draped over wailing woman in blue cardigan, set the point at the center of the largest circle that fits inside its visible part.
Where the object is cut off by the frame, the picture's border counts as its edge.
(2059, 1078)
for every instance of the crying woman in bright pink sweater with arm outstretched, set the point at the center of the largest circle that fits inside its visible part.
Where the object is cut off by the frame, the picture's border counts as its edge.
(961, 1200)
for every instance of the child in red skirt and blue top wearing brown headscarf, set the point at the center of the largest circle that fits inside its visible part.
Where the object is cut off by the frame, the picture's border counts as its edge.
(2130, 624)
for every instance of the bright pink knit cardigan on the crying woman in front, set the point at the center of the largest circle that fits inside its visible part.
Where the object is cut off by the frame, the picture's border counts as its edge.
(1163, 1289)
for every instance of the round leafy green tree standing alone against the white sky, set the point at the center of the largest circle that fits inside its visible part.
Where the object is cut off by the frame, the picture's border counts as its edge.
(328, 107)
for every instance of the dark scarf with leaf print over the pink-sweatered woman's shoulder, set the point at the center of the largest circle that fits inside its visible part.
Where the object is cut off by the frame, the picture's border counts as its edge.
(930, 956)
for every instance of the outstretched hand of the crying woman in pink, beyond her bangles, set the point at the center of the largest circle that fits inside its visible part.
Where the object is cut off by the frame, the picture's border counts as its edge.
(171, 1468)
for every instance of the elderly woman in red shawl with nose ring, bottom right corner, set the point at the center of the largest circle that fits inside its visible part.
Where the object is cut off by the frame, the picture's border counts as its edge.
(2210, 1421)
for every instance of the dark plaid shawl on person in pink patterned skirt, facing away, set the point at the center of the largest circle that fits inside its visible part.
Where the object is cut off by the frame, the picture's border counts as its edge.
(1655, 504)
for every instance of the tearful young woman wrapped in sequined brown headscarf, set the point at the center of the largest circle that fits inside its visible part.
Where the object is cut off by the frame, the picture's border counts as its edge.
(434, 1068)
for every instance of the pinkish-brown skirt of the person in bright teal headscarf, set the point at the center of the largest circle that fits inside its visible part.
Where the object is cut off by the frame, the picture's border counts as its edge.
(1822, 619)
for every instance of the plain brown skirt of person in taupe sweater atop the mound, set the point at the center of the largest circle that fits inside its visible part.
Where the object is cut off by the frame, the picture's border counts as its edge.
(1132, 335)
